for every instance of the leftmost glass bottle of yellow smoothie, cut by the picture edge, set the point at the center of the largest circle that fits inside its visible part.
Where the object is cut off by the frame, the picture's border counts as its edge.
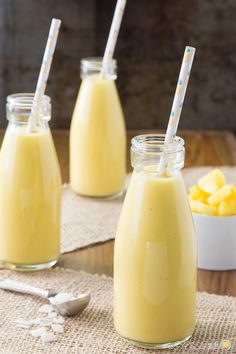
(30, 189)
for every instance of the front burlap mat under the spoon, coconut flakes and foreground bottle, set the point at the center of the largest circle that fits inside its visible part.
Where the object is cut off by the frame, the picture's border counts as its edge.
(92, 332)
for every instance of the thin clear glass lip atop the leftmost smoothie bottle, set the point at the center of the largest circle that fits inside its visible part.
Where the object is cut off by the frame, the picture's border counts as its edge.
(25, 100)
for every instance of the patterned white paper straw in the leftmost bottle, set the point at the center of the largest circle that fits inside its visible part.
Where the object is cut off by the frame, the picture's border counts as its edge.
(44, 71)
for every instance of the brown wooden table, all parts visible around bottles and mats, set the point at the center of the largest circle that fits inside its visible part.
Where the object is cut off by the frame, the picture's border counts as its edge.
(202, 148)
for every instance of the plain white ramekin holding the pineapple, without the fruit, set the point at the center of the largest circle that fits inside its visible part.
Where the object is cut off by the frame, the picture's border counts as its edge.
(216, 239)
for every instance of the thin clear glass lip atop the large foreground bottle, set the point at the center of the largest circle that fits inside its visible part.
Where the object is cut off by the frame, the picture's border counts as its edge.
(154, 143)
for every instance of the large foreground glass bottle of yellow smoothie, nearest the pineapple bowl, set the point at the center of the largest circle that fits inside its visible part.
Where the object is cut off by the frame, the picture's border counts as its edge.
(155, 250)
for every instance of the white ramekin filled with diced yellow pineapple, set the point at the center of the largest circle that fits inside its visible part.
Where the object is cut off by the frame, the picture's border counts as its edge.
(213, 203)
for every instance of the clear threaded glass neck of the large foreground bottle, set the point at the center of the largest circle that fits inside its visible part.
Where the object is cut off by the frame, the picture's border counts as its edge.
(148, 151)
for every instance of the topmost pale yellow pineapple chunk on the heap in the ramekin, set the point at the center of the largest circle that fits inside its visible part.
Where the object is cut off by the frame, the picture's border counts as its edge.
(213, 181)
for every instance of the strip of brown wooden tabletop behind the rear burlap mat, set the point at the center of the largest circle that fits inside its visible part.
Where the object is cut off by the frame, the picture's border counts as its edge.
(203, 148)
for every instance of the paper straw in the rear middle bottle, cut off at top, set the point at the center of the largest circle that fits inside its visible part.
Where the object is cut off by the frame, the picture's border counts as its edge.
(113, 34)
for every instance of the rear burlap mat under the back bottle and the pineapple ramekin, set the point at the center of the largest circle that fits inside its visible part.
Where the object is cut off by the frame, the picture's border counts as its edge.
(87, 221)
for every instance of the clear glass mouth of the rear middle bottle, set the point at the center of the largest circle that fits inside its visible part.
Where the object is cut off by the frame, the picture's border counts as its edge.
(93, 66)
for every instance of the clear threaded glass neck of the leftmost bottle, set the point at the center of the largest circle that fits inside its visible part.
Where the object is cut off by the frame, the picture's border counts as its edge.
(19, 108)
